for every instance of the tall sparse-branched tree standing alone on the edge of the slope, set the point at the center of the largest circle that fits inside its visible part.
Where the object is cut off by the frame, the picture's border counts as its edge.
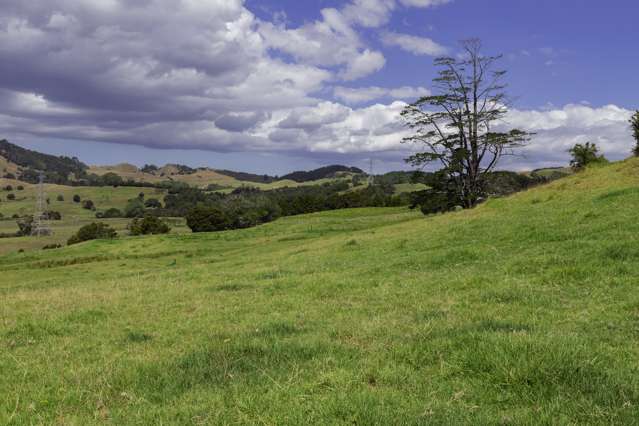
(456, 124)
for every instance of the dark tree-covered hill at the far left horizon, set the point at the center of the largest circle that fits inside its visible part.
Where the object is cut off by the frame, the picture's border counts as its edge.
(56, 169)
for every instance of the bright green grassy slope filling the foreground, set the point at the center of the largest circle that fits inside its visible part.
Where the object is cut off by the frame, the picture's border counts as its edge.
(524, 310)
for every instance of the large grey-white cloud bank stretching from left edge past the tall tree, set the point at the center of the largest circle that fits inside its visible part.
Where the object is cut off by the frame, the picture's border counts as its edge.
(210, 75)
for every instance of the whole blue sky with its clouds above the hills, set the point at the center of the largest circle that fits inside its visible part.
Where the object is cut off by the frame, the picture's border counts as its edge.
(272, 86)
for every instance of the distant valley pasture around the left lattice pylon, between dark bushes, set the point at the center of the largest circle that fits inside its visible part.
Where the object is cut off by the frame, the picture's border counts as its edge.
(73, 215)
